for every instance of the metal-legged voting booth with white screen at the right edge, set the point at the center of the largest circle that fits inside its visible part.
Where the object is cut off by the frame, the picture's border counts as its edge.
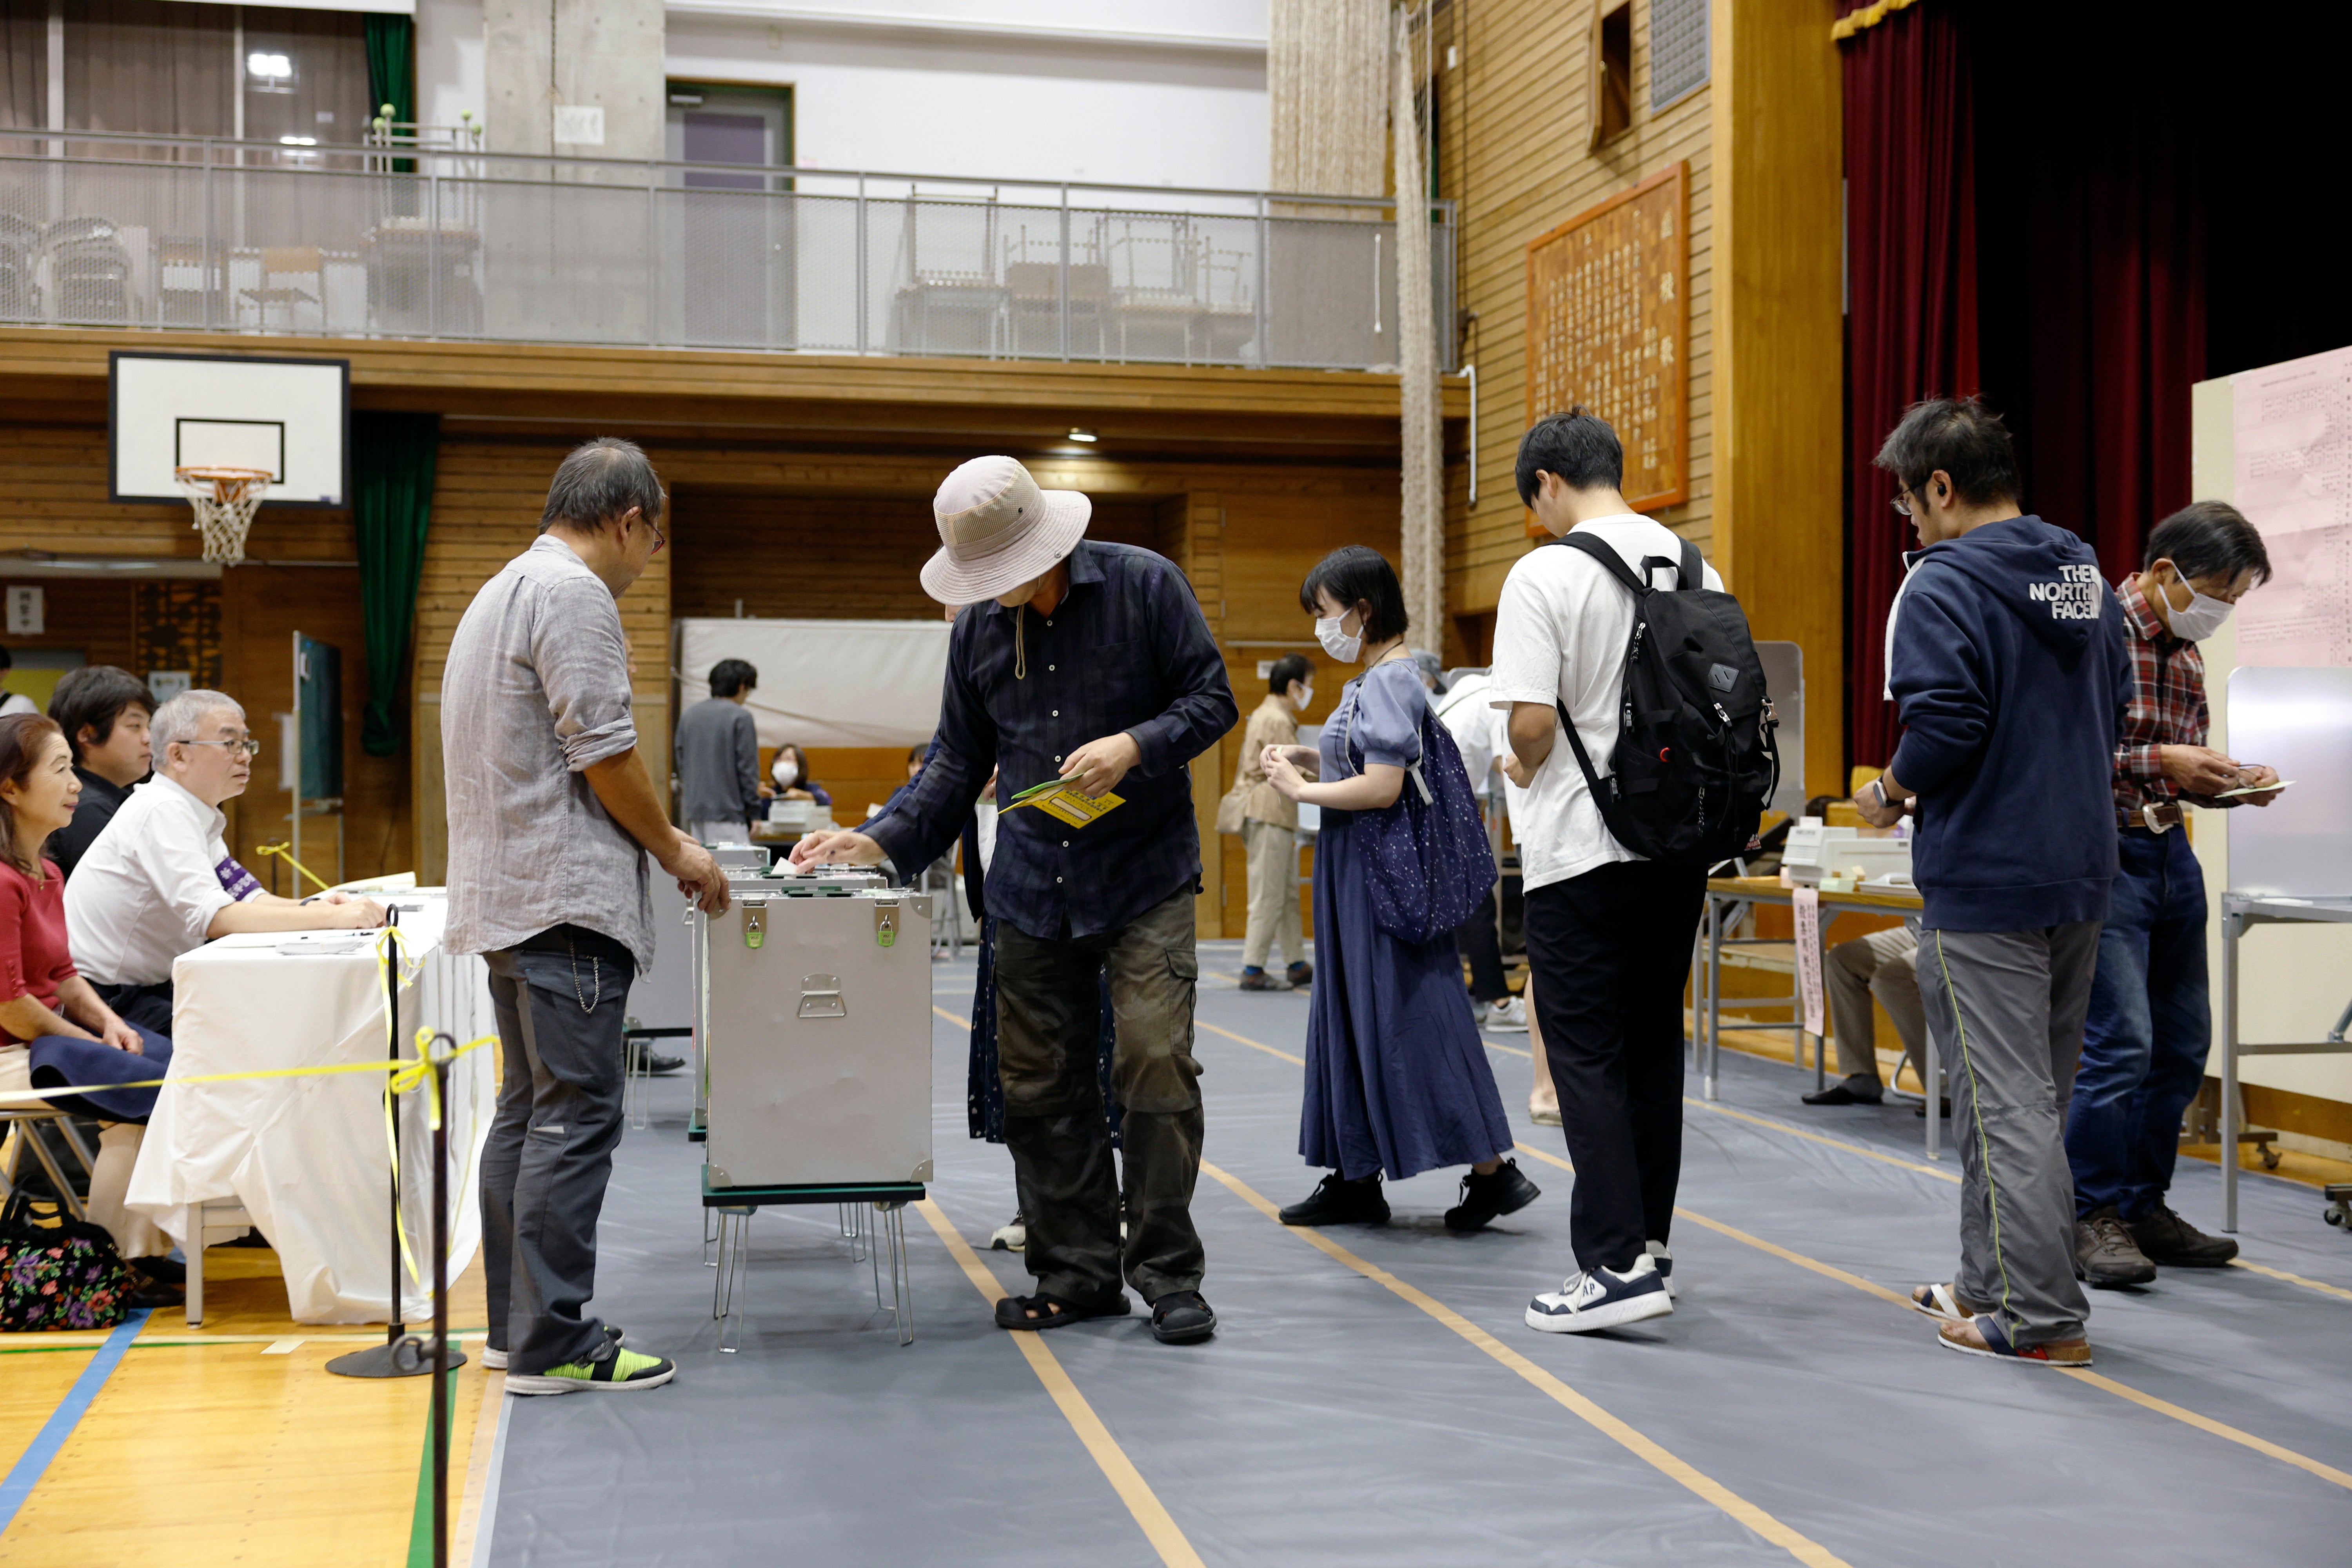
(2290, 862)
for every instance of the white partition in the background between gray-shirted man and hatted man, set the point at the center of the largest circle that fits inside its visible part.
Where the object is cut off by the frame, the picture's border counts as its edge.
(827, 683)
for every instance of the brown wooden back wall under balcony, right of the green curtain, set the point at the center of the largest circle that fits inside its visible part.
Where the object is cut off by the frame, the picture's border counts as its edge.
(843, 535)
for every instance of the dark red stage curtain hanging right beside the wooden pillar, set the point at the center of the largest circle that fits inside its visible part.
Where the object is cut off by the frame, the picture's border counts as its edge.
(1911, 302)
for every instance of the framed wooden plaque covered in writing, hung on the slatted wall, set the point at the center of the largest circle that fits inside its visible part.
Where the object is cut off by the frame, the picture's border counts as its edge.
(1610, 328)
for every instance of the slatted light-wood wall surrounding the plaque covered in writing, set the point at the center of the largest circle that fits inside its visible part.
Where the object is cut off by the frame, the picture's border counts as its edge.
(1516, 152)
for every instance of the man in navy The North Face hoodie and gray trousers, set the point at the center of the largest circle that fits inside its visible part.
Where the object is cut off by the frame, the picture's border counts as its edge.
(2005, 652)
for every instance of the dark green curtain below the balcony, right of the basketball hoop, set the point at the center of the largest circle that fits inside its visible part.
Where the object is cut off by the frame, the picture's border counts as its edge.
(392, 504)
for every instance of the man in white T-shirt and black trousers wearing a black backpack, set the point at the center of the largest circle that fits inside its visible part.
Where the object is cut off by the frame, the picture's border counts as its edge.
(1617, 838)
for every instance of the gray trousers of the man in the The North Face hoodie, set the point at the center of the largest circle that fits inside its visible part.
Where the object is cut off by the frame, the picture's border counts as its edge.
(2005, 1012)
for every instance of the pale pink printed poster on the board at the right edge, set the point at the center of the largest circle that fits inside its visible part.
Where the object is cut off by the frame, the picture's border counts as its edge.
(2294, 481)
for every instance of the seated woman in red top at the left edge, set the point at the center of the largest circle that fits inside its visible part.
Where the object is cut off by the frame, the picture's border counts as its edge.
(55, 1033)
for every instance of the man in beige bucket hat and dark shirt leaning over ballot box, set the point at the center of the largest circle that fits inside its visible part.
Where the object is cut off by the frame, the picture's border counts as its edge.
(1083, 662)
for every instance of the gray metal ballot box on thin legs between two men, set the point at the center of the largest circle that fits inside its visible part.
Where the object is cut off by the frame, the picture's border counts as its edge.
(815, 1064)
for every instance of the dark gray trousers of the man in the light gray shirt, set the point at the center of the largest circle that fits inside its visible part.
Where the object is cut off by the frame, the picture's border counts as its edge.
(549, 1151)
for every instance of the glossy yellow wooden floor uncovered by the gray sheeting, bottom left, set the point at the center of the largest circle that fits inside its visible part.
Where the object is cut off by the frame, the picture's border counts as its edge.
(232, 1445)
